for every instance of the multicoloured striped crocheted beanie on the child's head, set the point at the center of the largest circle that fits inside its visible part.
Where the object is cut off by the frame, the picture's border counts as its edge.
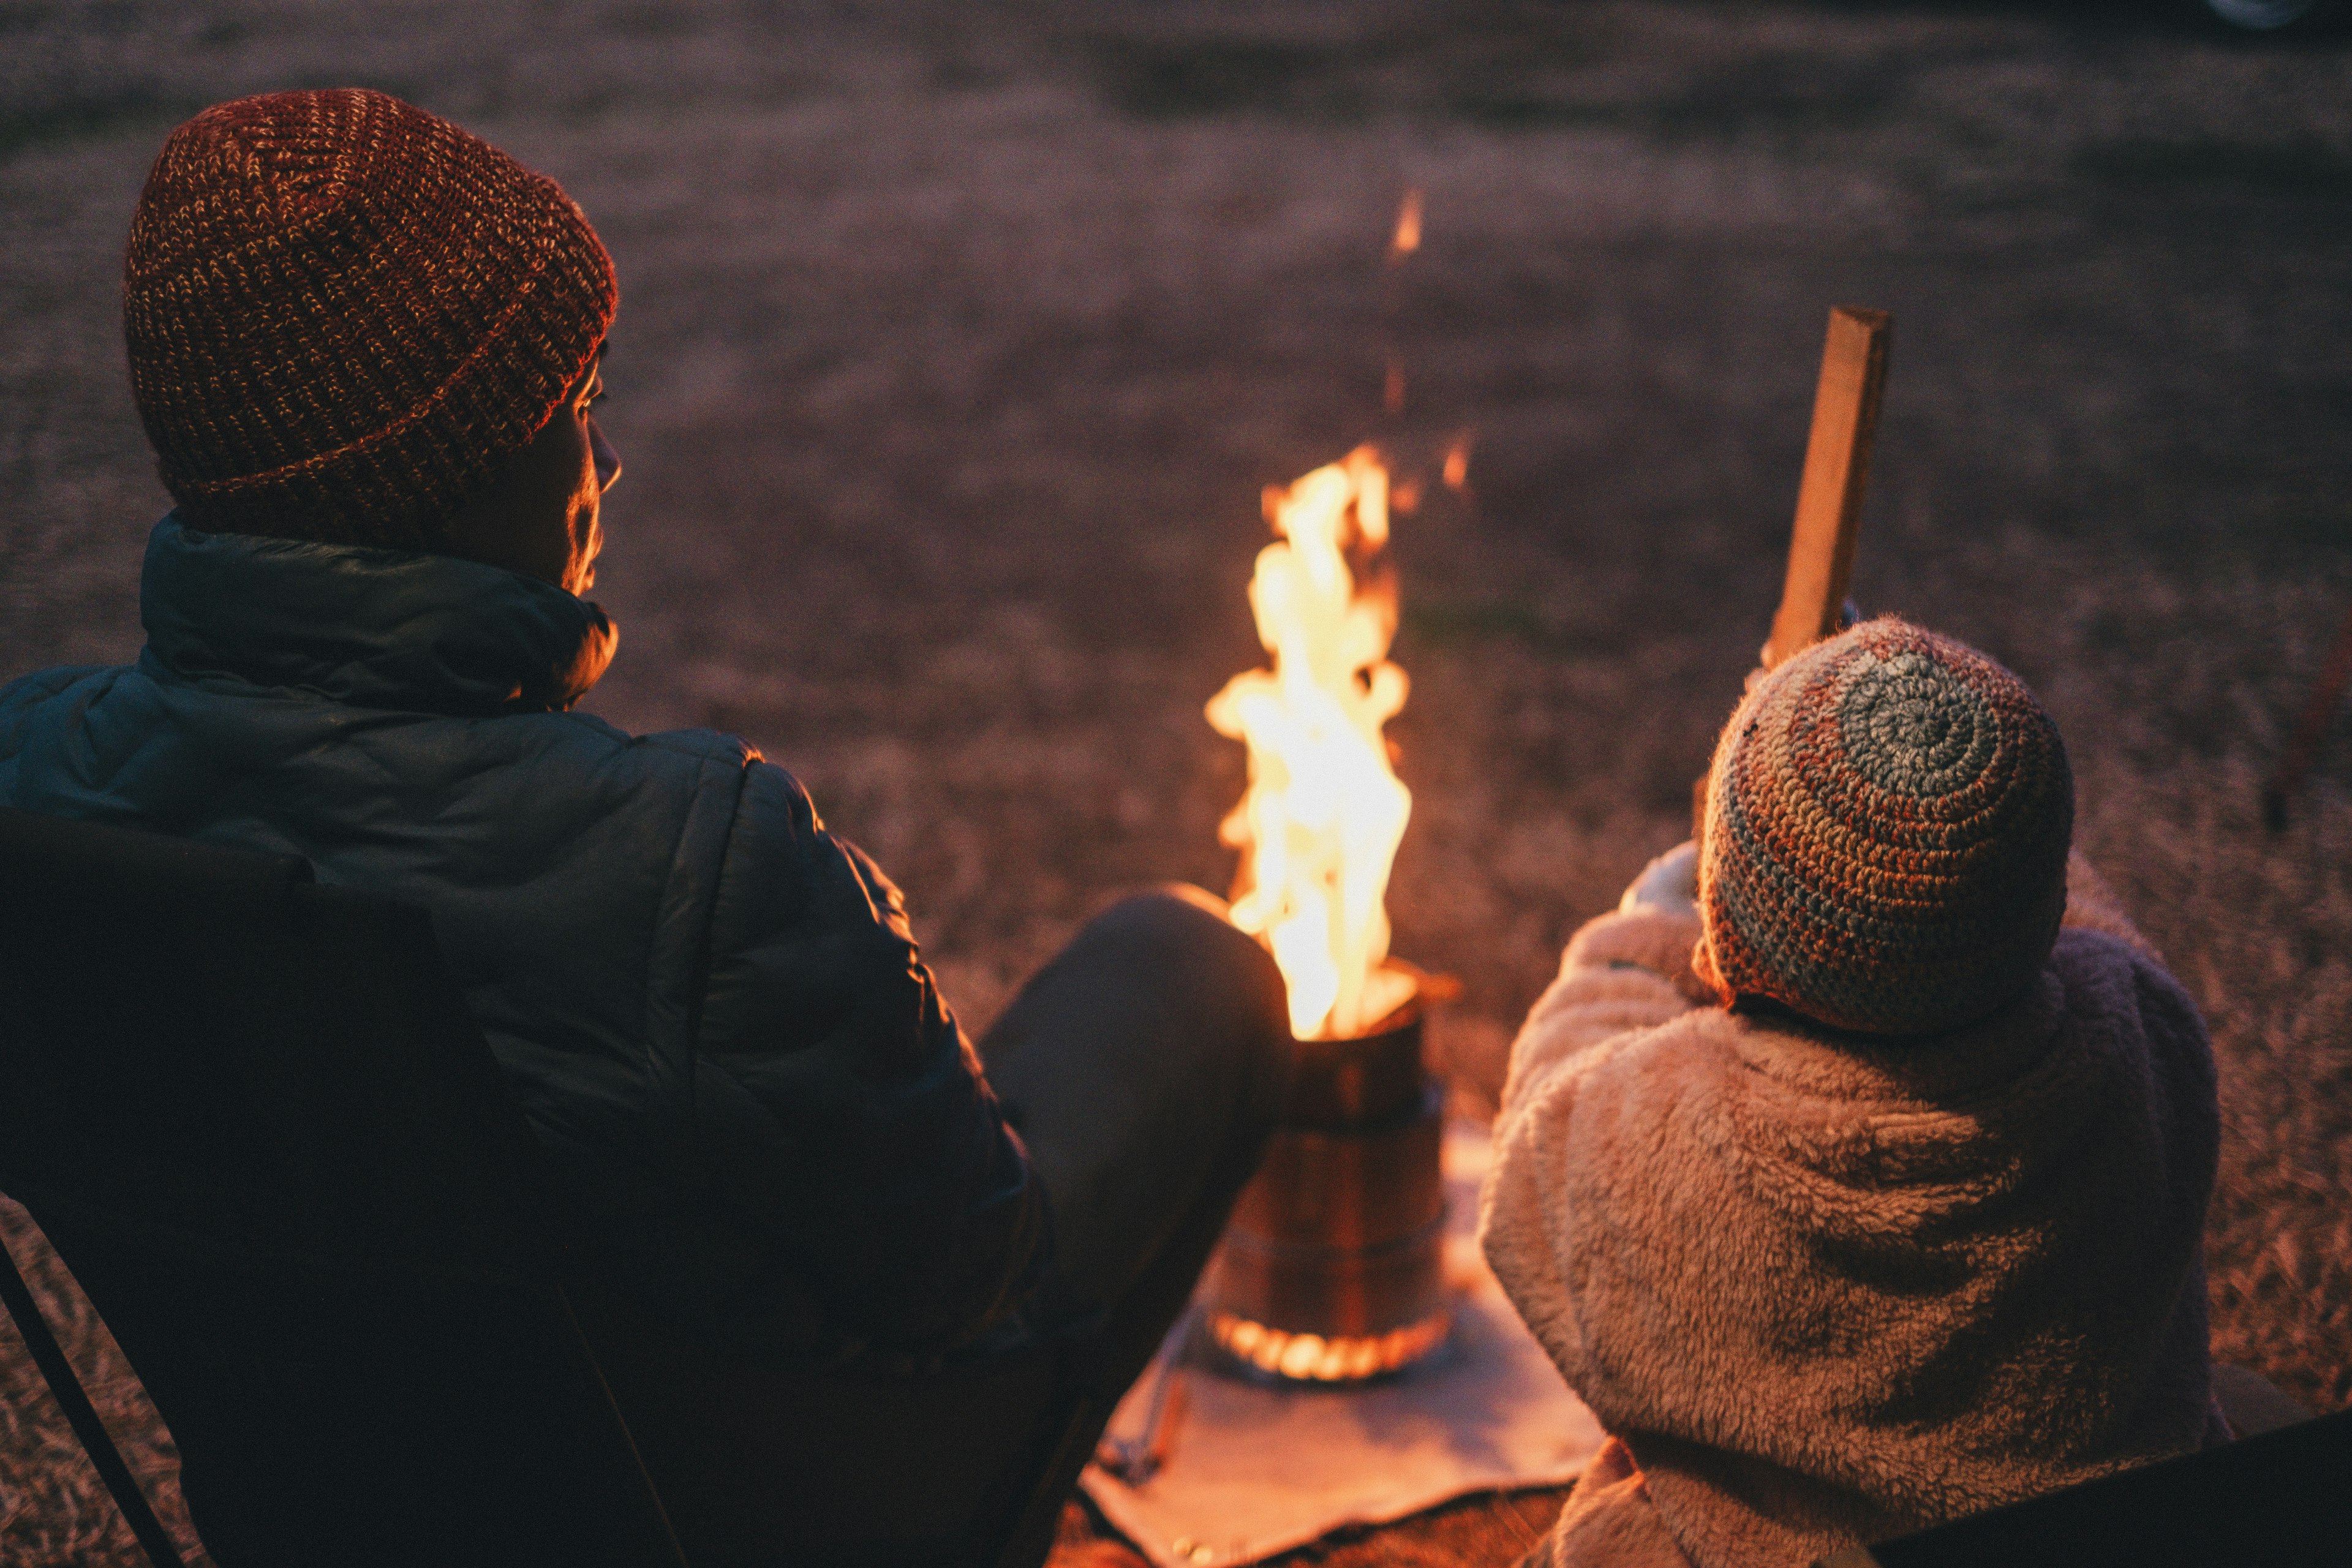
(1887, 836)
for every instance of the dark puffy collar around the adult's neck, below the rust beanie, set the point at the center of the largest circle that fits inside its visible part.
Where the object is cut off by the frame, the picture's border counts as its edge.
(373, 629)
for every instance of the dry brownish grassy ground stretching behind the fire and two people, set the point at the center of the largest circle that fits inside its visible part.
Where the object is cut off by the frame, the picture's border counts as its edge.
(958, 344)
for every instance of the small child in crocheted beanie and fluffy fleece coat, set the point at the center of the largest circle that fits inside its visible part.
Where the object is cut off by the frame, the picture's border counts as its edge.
(1866, 1188)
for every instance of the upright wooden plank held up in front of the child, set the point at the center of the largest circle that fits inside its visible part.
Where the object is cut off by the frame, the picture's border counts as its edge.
(1836, 474)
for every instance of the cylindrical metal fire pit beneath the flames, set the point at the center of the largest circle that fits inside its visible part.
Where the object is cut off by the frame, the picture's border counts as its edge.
(1332, 1268)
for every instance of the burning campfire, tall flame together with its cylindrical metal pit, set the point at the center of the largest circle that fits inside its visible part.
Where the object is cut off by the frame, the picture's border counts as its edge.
(1330, 1266)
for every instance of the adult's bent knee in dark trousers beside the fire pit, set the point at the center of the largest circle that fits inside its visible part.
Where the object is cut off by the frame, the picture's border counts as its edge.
(1144, 1068)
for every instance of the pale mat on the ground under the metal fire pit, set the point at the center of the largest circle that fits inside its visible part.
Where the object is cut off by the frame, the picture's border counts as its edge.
(1229, 1468)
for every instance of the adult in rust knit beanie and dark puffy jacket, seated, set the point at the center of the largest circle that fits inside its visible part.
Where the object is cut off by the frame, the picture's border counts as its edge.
(366, 349)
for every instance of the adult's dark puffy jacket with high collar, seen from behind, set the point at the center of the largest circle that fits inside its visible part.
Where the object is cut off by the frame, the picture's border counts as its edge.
(709, 1007)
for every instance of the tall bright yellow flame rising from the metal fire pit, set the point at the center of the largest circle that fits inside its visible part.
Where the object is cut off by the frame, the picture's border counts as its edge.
(1323, 812)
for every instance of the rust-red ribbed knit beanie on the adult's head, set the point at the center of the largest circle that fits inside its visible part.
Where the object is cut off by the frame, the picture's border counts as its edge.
(342, 311)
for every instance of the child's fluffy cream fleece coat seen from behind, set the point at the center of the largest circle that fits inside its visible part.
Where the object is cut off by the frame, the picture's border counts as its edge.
(1836, 1287)
